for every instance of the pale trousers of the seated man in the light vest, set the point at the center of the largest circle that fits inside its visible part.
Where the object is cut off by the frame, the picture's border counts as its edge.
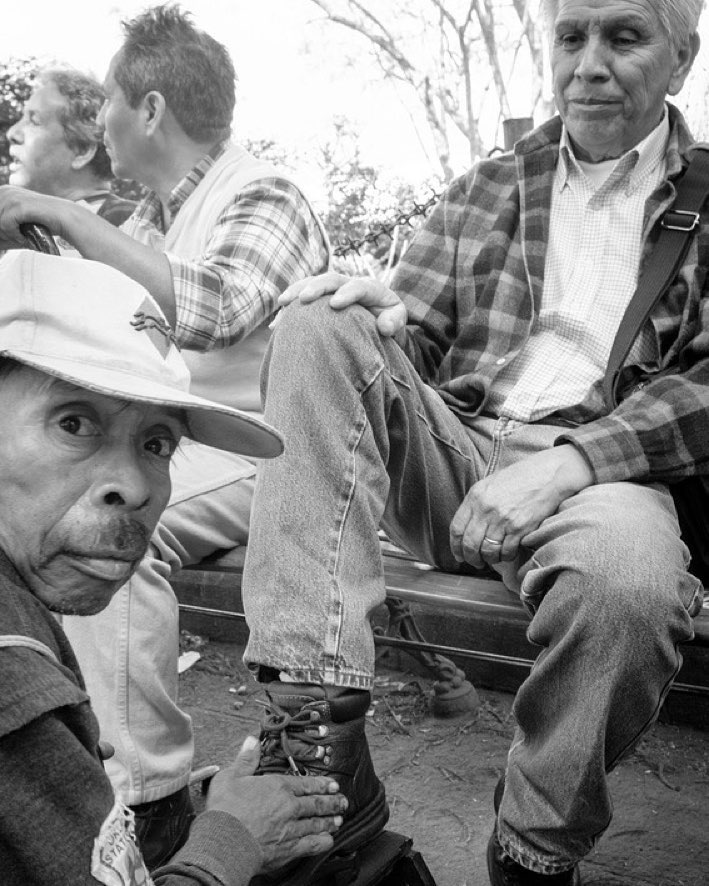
(128, 653)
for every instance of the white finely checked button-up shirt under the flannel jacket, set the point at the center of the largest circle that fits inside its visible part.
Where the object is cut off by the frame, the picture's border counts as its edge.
(591, 270)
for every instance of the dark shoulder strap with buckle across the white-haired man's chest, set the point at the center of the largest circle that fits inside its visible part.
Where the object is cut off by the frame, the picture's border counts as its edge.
(677, 227)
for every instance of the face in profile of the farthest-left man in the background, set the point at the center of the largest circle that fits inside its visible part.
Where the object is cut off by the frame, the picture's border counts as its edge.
(41, 159)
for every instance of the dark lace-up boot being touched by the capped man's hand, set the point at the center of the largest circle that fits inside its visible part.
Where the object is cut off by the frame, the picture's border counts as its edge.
(306, 730)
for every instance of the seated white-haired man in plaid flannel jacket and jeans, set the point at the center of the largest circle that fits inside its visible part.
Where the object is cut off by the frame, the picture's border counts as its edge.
(461, 410)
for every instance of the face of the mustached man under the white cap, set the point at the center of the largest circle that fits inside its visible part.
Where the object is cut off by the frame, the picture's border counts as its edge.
(83, 481)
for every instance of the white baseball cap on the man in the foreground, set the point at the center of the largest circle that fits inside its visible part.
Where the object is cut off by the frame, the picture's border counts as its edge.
(93, 326)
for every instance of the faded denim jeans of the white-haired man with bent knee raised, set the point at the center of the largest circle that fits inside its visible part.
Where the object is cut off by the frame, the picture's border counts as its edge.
(604, 579)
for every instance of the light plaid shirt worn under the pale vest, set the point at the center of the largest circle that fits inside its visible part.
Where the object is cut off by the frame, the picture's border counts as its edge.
(265, 239)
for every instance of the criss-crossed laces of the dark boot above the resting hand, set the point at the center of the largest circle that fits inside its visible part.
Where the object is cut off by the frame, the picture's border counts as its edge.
(289, 739)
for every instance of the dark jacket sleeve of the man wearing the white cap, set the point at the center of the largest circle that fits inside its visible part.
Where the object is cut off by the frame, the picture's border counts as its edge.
(55, 798)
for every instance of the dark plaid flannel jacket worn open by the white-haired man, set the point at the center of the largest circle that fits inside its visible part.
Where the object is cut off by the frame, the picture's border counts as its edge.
(472, 282)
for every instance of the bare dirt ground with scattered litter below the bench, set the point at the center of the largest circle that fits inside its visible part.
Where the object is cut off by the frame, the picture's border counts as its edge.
(440, 775)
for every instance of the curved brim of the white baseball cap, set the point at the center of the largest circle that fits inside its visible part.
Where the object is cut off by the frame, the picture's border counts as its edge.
(207, 422)
